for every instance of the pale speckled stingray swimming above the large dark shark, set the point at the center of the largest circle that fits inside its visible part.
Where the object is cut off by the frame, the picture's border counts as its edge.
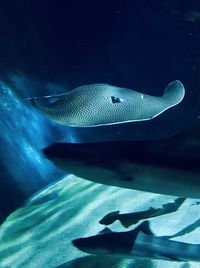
(103, 104)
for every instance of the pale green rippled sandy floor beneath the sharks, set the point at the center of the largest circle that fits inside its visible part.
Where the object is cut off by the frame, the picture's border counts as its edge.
(40, 233)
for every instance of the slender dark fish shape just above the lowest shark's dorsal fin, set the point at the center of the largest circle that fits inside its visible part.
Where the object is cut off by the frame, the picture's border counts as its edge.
(128, 219)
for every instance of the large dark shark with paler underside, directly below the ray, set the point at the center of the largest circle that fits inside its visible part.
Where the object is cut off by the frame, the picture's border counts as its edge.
(168, 166)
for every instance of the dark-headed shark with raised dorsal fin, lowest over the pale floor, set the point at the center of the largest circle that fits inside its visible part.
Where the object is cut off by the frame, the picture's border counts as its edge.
(139, 242)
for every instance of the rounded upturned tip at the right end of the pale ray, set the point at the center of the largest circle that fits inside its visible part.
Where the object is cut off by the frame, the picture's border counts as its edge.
(174, 93)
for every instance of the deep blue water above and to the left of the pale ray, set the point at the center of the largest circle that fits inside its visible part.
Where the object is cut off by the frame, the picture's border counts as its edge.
(48, 47)
